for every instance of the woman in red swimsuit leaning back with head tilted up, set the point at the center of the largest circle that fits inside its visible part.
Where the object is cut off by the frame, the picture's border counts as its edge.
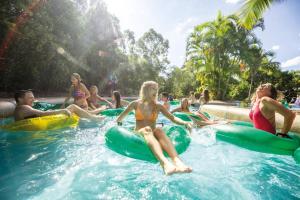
(264, 108)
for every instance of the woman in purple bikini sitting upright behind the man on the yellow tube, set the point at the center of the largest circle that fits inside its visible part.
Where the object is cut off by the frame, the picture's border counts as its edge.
(78, 91)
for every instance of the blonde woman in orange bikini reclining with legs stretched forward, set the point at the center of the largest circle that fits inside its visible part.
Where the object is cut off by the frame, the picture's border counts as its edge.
(146, 112)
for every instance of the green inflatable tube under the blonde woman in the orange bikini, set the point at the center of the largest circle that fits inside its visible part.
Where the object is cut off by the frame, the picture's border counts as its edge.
(125, 142)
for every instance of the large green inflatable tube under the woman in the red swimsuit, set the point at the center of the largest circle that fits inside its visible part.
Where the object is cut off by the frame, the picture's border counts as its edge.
(257, 140)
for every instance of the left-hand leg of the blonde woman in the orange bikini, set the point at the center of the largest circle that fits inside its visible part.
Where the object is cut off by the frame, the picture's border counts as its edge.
(155, 147)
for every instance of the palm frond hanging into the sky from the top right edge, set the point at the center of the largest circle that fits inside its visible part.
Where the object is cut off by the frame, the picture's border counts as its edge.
(252, 11)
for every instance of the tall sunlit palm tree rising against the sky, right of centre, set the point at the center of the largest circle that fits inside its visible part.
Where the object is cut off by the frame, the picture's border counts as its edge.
(213, 49)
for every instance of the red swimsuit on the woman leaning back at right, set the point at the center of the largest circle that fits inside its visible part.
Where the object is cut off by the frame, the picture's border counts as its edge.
(259, 121)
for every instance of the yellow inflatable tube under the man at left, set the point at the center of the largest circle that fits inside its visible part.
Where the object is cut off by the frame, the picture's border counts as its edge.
(50, 122)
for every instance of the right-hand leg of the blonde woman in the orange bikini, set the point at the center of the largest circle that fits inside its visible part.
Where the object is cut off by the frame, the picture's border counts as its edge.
(167, 145)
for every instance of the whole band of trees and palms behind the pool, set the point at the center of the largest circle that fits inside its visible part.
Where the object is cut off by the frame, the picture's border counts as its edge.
(43, 42)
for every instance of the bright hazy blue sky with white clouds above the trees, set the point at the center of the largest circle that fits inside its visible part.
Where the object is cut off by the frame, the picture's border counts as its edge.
(175, 19)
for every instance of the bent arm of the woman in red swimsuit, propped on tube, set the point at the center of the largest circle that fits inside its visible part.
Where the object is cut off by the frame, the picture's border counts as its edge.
(288, 115)
